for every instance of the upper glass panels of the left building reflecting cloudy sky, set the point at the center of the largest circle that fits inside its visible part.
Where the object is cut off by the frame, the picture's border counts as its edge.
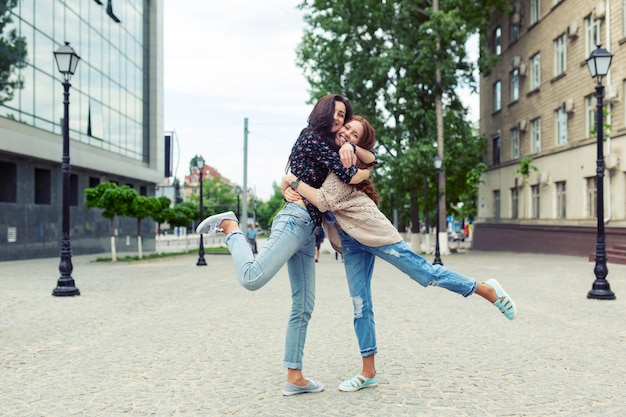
(107, 90)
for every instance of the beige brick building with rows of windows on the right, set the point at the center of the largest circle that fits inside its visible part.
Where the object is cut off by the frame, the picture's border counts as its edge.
(538, 108)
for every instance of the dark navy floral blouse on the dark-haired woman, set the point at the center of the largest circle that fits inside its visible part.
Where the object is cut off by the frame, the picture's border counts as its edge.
(311, 160)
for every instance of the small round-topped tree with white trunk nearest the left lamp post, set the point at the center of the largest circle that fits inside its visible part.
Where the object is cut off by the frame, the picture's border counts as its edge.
(114, 200)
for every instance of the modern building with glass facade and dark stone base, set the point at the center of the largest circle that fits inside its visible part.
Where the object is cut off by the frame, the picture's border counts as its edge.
(115, 117)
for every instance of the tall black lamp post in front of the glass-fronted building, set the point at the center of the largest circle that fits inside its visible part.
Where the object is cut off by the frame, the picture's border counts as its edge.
(67, 60)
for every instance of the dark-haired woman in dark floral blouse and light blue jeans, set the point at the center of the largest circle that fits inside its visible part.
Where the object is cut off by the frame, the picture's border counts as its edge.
(292, 241)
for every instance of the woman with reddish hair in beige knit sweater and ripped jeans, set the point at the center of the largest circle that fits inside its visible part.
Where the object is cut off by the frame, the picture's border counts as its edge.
(357, 228)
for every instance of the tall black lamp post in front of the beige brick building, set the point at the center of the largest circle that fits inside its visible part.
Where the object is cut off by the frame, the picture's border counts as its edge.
(599, 63)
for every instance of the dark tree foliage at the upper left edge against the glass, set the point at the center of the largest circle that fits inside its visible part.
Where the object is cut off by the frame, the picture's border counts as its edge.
(13, 53)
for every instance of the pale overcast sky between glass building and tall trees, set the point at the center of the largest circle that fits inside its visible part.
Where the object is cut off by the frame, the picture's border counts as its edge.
(226, 61)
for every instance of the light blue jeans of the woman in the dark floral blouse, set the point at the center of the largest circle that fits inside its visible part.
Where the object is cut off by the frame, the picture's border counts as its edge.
(291, 241)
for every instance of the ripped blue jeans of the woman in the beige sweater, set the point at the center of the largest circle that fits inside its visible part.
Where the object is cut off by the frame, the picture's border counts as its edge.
(359, 264)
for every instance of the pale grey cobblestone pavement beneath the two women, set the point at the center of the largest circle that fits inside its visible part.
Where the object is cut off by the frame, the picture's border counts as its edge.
(168, 338)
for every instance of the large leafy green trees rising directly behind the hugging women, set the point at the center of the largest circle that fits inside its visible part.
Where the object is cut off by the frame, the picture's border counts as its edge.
(383, 56)
